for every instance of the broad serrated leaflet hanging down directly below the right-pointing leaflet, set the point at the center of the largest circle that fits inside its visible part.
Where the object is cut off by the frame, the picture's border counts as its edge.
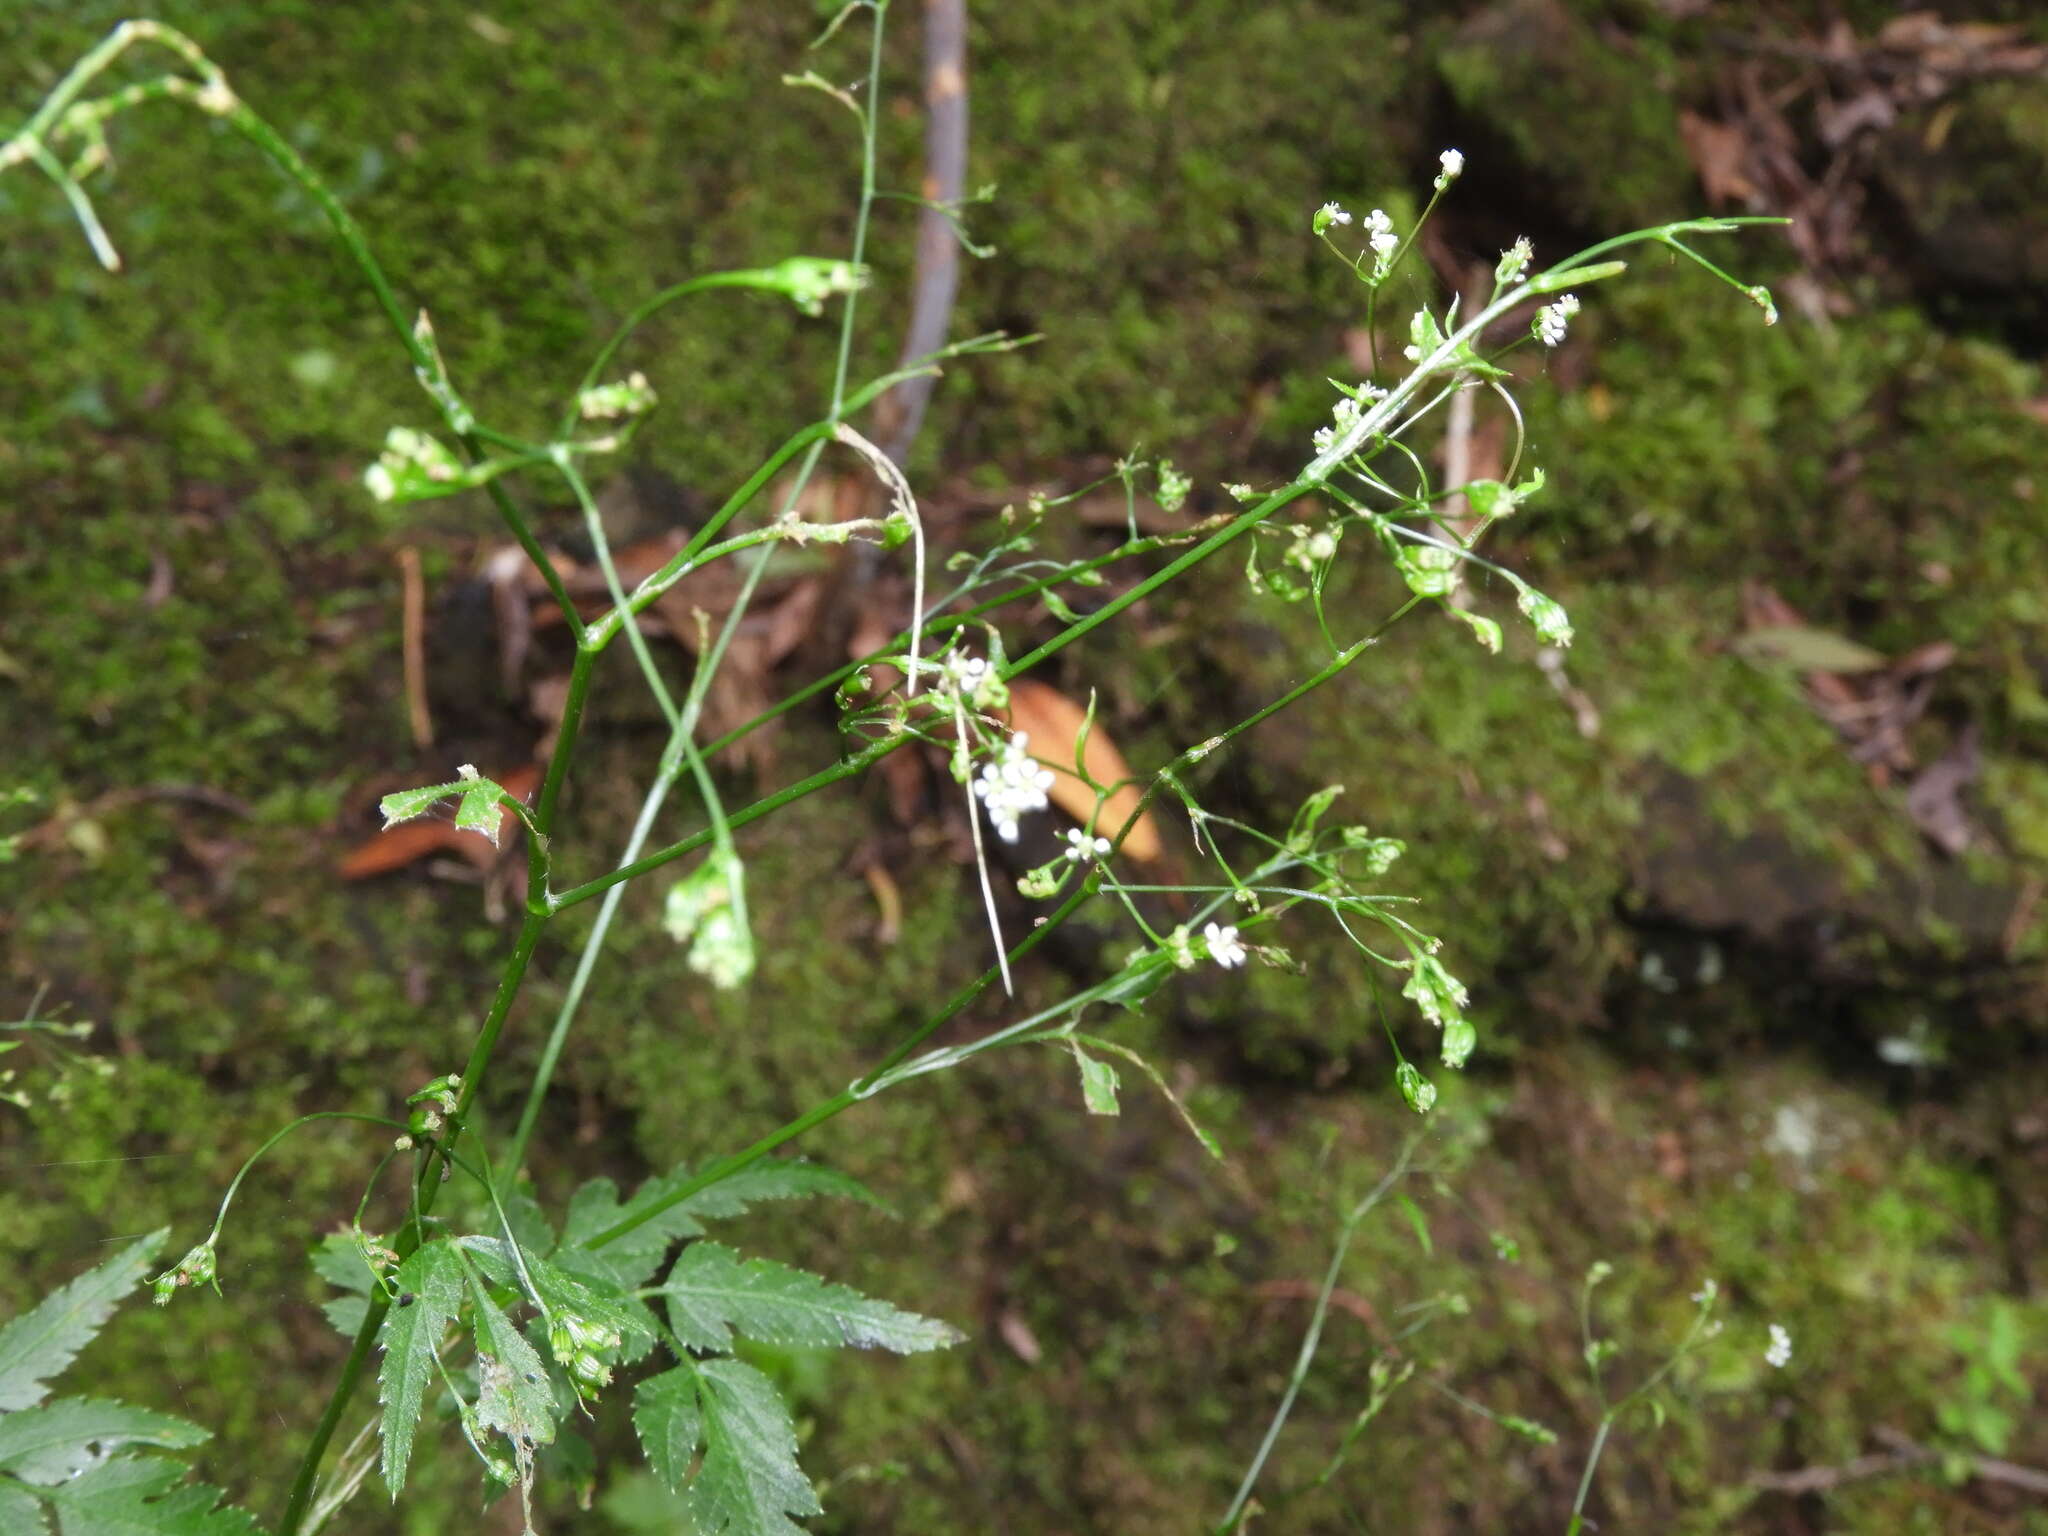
(749, 1482)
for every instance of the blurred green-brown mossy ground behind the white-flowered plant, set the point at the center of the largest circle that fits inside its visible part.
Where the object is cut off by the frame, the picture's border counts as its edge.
(1736, 1017)
